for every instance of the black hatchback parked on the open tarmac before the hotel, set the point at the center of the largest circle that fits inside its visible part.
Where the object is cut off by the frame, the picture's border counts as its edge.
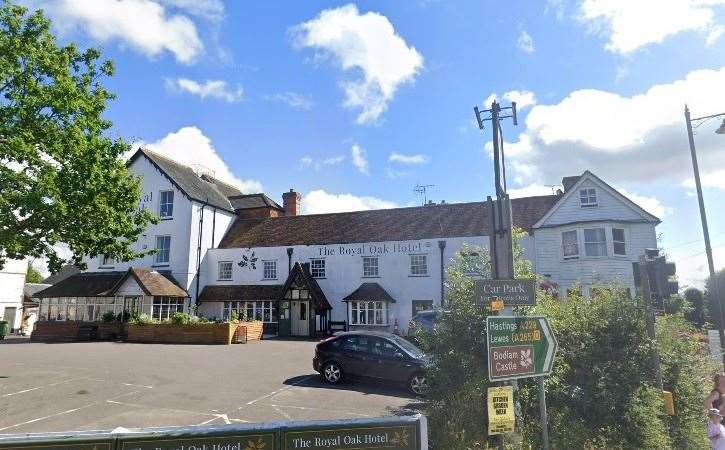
(371, 354)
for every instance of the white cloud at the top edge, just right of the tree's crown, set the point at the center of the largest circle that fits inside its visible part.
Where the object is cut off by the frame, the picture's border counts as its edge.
(141, 24)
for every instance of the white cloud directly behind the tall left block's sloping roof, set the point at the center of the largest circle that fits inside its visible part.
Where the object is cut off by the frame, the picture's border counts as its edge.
(189, 146)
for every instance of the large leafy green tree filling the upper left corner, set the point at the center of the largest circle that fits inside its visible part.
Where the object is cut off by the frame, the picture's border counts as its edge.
(63, 179)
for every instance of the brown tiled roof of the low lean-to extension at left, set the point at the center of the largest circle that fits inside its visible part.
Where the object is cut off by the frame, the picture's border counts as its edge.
(102, 284)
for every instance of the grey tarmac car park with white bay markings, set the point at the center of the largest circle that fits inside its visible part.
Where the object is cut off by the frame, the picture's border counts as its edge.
(104, 385)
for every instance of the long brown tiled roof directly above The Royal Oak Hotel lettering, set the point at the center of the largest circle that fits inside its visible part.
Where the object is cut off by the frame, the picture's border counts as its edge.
(421, 222)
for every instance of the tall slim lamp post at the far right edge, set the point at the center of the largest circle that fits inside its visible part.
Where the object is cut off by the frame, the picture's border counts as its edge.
(703, 217)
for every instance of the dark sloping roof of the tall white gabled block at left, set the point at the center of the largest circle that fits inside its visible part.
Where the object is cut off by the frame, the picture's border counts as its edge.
(189, 182)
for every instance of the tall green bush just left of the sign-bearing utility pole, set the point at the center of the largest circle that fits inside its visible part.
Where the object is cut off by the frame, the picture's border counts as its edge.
(456, 406)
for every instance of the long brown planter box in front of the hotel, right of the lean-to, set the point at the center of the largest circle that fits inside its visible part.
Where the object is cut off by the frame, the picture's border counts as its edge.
(208, 333)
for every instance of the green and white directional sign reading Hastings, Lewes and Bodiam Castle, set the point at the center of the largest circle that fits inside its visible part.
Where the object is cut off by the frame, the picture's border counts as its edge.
(519, 347)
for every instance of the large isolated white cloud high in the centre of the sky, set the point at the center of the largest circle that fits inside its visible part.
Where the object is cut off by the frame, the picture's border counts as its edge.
(366, 43)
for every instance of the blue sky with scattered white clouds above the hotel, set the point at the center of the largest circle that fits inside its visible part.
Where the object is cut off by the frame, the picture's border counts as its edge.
(352, 104)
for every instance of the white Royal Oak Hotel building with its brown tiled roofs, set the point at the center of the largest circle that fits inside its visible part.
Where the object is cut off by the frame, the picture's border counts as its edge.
(220, 251)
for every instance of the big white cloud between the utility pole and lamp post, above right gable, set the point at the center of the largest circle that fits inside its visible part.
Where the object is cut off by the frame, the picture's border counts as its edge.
(622, 138)
